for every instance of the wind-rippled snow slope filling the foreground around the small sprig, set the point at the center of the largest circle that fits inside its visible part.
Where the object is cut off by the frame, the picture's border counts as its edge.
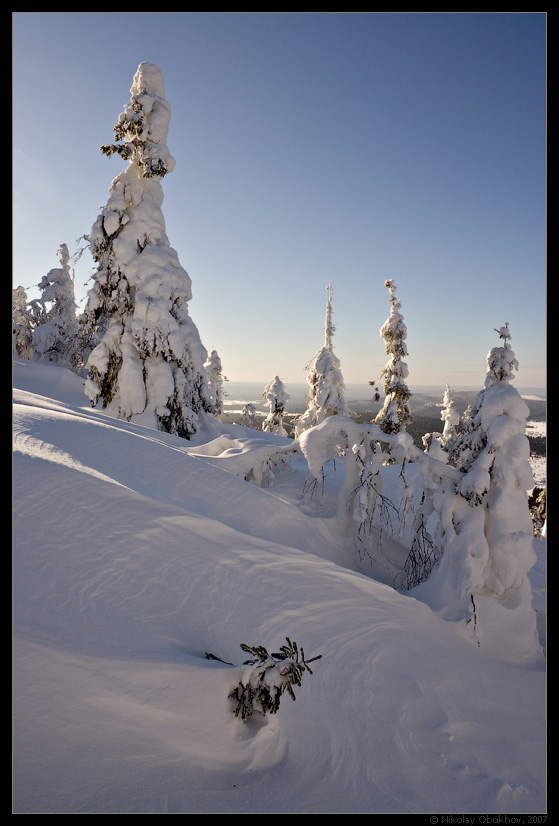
(136, 552)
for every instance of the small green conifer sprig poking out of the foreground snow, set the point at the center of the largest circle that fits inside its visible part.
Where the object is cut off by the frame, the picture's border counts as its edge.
(267, 676)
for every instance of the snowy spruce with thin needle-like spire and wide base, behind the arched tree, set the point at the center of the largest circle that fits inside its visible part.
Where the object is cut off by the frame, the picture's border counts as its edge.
(326, 384)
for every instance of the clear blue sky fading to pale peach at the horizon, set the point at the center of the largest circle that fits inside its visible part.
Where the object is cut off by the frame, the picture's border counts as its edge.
(310, 148)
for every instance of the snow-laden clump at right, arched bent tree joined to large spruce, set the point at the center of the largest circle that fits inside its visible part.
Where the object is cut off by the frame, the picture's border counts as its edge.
(474, 560)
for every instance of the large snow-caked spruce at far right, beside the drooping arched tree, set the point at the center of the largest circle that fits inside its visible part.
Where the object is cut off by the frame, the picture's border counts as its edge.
(485, 528)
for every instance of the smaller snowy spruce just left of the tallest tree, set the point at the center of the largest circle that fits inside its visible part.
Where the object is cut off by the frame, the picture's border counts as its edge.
(57, 337)
